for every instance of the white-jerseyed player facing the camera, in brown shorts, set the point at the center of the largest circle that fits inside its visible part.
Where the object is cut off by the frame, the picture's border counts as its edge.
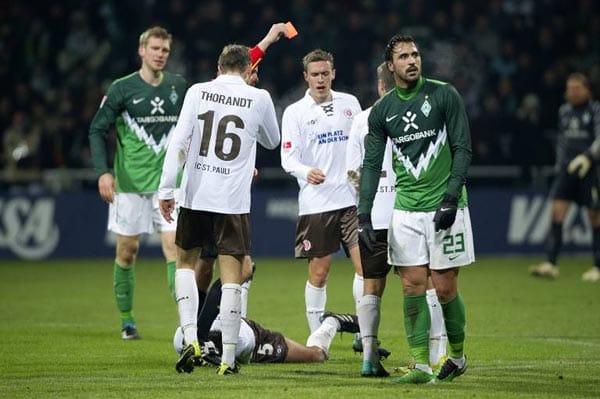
(315, 131)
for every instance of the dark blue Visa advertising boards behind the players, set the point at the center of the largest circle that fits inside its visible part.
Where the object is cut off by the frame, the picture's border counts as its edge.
(73, 225)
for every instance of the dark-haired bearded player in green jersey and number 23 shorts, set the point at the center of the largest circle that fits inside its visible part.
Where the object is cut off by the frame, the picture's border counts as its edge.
(430, 230)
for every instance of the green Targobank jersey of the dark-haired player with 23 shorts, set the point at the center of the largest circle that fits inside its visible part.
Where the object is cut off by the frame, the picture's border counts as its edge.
(429, 131)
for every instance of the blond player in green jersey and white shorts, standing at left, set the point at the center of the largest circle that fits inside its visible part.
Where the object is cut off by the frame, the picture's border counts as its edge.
(144, 107)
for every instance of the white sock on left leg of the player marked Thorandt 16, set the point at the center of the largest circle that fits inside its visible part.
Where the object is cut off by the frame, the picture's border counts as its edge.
(186, 293)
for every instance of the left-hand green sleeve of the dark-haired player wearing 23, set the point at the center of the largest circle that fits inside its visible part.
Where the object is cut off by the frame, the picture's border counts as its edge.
(371, 171)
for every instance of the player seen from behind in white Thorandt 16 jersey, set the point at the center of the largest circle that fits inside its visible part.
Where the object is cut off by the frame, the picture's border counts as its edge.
(216, 136)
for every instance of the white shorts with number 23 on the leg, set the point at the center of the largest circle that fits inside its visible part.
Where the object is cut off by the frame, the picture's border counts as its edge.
(412, 241)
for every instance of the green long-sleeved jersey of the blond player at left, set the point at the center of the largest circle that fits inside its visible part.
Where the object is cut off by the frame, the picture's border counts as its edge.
(144, 116)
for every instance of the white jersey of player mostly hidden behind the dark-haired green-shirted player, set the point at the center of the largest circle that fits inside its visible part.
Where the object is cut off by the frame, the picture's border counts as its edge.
(383, 205)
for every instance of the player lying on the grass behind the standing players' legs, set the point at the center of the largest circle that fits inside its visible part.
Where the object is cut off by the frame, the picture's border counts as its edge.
(259, 345)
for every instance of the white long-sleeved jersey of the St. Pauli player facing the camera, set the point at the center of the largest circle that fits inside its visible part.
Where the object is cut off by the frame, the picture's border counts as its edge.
(315, 136)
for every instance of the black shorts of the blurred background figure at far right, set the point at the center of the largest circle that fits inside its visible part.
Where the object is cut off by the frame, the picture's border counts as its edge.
(584, 192)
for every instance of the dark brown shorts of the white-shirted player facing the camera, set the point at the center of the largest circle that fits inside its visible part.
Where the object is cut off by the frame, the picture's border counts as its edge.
(320, 234)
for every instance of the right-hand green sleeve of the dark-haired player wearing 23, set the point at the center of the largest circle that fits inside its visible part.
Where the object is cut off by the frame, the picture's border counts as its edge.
(460, 141)
